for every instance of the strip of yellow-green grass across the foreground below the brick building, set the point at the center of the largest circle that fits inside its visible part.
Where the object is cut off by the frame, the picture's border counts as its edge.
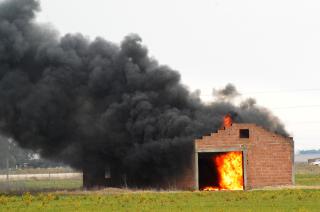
(279, 200)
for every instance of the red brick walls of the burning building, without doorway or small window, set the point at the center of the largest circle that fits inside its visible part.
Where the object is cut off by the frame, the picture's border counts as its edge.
(268, 157)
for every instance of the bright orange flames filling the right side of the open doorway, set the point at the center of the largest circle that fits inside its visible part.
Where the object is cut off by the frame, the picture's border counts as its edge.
(229, 170)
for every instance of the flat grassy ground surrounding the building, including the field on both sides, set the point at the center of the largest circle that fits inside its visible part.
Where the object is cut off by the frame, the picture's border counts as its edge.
(66, 195)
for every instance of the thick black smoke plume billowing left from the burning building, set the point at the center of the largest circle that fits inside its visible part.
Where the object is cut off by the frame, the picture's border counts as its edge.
(95, 103)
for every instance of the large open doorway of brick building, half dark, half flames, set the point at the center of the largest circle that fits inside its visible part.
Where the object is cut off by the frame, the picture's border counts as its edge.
(220, 170)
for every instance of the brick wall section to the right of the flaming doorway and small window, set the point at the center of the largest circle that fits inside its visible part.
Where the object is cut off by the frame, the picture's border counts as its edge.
(270, 160)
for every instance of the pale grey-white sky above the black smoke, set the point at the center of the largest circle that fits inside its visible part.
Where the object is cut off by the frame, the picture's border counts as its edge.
(269, 50)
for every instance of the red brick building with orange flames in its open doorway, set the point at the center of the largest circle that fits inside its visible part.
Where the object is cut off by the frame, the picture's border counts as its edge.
(241, 156)
